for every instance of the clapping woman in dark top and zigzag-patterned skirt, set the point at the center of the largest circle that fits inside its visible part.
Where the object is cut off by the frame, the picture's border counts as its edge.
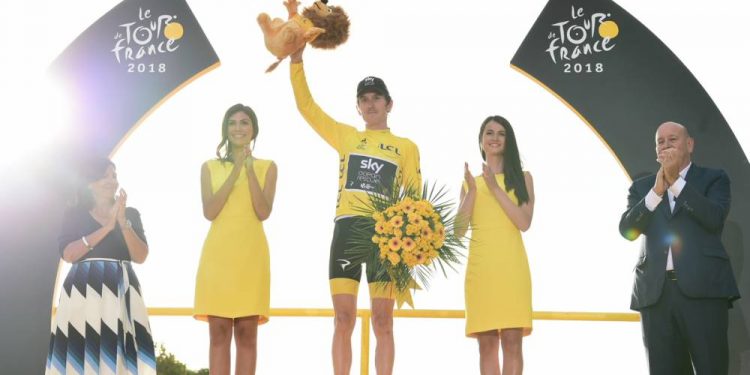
(101, 325)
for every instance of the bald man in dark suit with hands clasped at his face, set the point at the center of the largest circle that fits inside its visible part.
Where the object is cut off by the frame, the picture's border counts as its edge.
(684, 284)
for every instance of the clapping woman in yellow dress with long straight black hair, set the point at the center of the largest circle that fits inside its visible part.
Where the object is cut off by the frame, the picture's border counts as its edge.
(498, 205)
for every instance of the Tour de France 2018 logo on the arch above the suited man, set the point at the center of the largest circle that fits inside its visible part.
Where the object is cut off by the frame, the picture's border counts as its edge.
(582, 35)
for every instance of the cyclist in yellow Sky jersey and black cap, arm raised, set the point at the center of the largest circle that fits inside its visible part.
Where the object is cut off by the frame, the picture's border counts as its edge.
(370, 160)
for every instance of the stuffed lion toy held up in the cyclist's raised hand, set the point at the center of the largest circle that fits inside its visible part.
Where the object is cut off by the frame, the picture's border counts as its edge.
(322, 26)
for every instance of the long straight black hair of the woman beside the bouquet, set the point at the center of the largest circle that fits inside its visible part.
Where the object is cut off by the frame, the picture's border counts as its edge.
(512, 168)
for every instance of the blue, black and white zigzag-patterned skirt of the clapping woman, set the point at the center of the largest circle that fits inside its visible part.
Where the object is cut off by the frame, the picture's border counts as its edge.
(101, 325)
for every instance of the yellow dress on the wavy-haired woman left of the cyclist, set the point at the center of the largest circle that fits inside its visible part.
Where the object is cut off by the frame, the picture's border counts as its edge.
(234, 274)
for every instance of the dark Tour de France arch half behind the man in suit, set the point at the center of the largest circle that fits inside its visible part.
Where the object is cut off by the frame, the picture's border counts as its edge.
(623, 82)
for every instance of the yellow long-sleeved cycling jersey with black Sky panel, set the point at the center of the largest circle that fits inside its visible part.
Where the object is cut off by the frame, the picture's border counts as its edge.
(370, 161)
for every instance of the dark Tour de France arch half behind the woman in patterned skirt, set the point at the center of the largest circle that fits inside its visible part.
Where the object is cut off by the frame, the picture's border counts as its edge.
(114, 74)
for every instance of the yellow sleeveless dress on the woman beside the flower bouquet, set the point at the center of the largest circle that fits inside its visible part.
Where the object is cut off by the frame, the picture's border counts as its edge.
(498, 281)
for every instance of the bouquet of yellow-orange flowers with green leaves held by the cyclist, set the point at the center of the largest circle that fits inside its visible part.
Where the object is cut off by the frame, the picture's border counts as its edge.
(408, 236)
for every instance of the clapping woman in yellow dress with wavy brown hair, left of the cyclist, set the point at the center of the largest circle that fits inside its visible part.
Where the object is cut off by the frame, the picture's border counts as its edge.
(232, 288)
